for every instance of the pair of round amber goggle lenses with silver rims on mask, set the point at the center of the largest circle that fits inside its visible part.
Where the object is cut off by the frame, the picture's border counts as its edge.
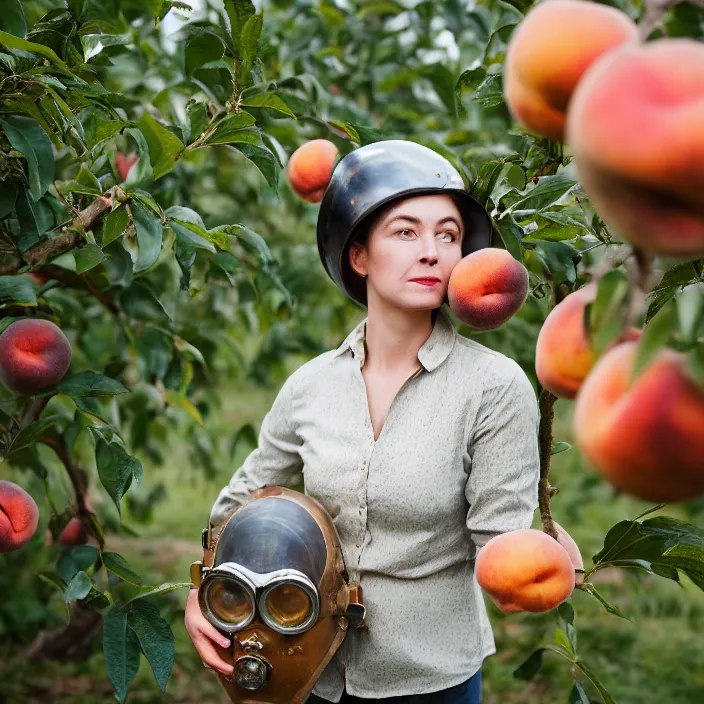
(288, 603)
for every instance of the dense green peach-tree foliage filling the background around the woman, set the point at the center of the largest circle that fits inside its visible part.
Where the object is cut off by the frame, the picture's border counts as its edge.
(145, 211)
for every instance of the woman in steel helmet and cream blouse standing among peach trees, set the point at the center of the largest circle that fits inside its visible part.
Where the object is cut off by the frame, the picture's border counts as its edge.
(421, 444)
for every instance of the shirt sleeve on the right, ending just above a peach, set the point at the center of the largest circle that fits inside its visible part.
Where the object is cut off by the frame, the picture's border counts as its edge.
(502, 487)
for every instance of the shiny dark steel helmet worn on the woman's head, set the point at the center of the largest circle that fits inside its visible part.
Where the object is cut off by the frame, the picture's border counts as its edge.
(374, 175)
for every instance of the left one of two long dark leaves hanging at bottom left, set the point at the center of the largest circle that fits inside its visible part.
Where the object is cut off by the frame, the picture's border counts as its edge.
(121, 650)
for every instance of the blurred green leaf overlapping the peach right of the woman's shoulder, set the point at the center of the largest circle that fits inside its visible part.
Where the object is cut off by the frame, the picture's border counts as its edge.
(606, 315)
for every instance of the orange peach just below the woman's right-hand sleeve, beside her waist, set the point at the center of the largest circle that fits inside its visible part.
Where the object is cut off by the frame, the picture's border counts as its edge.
(525, 570)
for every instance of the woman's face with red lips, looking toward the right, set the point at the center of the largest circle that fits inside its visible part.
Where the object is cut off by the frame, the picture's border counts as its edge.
(419, 236)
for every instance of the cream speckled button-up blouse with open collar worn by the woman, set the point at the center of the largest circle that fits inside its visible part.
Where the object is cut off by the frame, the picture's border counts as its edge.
(456, 463)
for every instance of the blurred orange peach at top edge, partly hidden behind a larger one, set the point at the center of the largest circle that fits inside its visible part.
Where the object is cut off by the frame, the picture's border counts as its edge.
(549, 52)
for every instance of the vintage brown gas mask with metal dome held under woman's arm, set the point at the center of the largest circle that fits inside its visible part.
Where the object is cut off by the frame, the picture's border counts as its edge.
(274, 579)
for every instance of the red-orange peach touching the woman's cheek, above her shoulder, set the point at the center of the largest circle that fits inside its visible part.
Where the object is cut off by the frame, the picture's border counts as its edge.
(487, 287)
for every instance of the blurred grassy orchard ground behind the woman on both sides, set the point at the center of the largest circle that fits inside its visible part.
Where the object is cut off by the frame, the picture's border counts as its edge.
(658, 658)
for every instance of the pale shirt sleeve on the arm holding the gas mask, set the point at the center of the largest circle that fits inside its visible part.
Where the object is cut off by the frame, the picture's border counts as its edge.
(276, 461)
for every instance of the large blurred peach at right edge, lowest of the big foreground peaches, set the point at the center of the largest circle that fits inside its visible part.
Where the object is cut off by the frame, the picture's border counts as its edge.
(644, 437)
